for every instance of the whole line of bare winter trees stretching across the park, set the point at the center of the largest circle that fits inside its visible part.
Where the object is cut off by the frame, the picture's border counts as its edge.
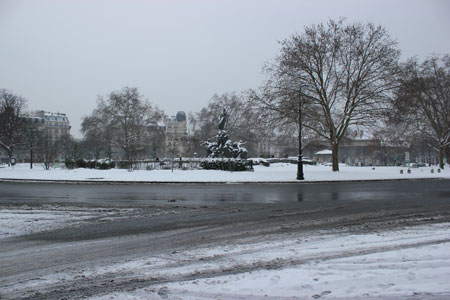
(332, 79)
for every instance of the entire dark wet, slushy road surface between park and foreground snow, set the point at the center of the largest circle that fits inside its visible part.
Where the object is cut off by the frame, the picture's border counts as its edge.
(173, 218)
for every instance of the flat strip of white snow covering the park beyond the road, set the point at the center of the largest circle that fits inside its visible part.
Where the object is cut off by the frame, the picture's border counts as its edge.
(279, 172)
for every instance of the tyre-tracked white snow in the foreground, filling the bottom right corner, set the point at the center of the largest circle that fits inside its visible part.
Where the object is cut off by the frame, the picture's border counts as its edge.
(405, 263)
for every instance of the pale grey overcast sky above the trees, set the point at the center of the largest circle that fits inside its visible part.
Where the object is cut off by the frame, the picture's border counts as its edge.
(60, 55)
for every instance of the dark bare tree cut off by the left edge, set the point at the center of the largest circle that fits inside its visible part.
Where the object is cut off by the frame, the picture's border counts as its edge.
(11, 120)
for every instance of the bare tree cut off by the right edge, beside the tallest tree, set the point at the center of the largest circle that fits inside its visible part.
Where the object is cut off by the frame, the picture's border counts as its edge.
(423, 99)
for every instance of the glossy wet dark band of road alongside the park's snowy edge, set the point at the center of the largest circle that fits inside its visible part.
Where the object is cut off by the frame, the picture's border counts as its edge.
(377, 193)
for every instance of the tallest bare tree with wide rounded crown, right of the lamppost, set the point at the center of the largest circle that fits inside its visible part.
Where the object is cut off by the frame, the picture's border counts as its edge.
(334, 76)
